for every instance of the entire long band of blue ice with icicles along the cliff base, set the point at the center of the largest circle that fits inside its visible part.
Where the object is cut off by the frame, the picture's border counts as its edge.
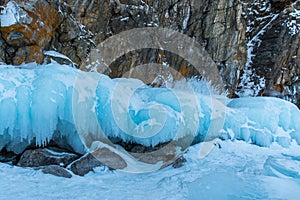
(74, 108)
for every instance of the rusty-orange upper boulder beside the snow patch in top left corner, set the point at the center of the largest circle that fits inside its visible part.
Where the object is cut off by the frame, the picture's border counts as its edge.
(29, 30)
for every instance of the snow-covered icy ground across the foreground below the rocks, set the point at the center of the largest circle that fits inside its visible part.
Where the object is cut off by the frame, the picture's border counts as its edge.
(236, 171)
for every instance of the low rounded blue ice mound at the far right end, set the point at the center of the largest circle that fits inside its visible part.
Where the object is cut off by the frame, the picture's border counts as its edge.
(263, 120)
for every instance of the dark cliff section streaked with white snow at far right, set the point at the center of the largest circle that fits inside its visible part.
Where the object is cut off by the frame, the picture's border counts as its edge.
(273, 49)
